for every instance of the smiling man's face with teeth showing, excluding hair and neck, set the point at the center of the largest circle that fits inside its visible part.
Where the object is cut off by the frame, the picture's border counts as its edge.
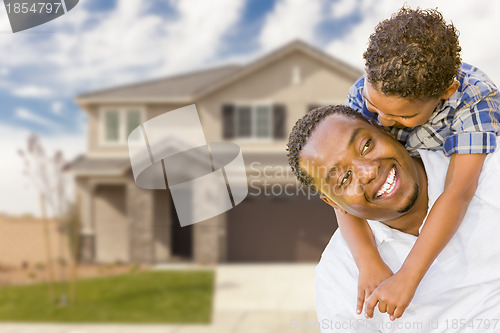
(360, 168)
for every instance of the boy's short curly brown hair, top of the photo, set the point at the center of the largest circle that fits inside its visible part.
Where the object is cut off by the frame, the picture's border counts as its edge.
(413, 55)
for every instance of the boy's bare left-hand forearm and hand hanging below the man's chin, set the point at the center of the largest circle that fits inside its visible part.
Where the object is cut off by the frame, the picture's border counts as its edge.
(372, 269)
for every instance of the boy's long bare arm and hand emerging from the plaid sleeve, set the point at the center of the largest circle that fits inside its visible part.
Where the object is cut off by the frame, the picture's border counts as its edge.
(462, 177)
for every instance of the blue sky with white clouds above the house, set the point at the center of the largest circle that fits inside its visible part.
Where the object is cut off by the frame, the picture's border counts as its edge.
(101, 44)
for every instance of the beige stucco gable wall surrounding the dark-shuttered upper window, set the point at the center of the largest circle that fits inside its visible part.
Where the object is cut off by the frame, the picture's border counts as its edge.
(319, 84)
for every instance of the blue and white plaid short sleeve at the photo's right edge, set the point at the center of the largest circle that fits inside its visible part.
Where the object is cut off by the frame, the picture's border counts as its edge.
(475, 125)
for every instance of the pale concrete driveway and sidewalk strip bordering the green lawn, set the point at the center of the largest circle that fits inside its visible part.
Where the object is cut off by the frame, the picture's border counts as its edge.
(261, 298)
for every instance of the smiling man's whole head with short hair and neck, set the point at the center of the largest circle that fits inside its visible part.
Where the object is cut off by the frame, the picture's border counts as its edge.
(390, 186)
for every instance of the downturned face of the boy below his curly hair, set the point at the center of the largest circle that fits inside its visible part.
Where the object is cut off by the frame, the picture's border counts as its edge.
(397, 111)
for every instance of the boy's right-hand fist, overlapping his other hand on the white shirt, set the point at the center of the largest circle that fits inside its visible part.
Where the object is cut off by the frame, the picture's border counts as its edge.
(393, 296)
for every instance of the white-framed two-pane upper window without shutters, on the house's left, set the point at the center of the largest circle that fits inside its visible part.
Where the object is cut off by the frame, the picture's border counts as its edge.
(117, 123)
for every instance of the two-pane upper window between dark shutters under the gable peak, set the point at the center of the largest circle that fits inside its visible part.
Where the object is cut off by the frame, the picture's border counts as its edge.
(253, 121)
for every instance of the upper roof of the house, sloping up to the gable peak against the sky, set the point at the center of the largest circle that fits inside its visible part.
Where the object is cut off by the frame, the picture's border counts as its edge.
(188, 87)
